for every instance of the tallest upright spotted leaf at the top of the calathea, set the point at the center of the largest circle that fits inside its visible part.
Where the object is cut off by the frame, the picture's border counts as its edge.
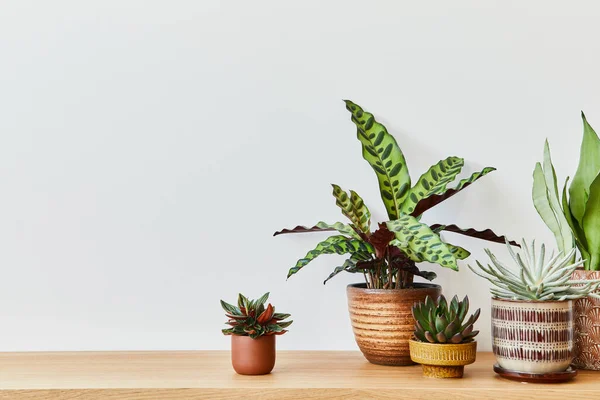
(382, 152)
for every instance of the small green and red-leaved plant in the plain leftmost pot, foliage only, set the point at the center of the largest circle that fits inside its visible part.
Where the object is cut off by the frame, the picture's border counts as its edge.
(252, 318)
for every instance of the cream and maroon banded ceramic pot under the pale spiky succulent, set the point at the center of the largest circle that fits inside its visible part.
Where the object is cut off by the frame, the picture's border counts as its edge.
(532, 336)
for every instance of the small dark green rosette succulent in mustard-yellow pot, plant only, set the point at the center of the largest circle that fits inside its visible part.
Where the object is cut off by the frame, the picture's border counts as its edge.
(440, 322)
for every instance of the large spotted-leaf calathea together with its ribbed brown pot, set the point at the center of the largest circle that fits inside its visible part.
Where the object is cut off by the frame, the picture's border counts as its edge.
(380, 308)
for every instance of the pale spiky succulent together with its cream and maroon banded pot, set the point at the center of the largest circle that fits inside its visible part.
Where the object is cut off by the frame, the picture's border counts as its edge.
(532, 309)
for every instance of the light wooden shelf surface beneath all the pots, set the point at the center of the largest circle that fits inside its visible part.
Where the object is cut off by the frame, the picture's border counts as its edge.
(297, 375)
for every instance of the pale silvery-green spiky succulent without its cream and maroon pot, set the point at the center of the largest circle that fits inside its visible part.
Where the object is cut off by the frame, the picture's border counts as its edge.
(535, 276)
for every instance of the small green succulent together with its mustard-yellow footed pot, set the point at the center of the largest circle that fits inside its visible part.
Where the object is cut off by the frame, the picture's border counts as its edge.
(443, 341)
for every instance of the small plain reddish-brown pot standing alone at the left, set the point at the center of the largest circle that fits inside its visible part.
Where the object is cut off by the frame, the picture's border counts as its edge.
(253, 356)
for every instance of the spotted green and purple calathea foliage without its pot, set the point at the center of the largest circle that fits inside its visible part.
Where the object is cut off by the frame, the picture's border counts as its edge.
(387, 256)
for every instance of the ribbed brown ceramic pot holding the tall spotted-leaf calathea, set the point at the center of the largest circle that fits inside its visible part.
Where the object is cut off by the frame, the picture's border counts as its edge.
(382, 320)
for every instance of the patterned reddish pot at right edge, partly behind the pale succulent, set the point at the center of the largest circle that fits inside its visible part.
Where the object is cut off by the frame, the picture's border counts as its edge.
(587, 326)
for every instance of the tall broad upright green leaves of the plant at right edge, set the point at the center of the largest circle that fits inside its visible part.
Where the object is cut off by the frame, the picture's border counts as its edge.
(574, 218)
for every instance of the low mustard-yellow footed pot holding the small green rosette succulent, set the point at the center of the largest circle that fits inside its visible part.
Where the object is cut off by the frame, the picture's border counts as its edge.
(443, 360)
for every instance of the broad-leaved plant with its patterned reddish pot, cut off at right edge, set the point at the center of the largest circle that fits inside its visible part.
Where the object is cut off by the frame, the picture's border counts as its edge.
(575, 221)
